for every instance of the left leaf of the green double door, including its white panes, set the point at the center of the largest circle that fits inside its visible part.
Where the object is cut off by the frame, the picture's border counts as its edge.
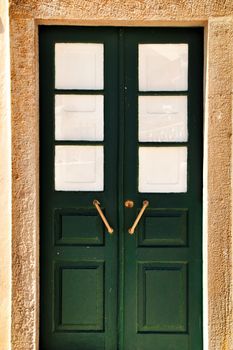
(78, 256)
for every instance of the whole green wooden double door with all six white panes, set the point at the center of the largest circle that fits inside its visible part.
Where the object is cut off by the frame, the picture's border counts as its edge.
(121, 120)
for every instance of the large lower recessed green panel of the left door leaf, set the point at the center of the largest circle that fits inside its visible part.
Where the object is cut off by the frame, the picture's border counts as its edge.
(79, 303)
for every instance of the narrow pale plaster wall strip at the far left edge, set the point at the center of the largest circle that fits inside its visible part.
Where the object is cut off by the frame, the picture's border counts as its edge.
(5, 181)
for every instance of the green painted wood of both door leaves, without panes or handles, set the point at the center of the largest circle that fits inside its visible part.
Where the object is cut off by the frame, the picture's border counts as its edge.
(101, 291)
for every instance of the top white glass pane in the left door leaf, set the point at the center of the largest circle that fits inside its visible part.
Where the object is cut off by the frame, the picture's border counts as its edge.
(79, 66)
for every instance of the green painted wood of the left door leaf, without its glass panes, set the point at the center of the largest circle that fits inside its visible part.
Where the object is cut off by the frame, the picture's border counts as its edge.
(64, 213)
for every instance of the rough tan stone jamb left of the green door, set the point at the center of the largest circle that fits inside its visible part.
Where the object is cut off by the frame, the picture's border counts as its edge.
(25, 189)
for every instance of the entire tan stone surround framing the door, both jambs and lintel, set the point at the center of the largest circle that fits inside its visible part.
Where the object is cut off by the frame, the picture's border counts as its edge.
(218, 20)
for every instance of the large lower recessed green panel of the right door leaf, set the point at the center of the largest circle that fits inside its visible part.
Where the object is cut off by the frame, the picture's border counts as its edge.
(162, 297)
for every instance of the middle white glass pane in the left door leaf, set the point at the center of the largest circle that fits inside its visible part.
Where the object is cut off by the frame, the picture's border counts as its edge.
(79, 117)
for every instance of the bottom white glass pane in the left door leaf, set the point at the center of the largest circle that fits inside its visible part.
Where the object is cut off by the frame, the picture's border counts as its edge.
(79, 168)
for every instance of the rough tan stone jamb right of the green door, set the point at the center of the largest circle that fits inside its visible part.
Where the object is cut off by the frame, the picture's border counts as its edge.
(219, 192)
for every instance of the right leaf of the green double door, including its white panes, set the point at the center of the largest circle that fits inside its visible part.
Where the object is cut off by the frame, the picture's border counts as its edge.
(163, 258)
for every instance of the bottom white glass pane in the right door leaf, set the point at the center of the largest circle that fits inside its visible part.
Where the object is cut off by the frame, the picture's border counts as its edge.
(163, 169)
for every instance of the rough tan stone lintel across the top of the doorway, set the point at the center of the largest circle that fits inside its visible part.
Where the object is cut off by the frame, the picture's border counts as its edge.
(122, 10)
